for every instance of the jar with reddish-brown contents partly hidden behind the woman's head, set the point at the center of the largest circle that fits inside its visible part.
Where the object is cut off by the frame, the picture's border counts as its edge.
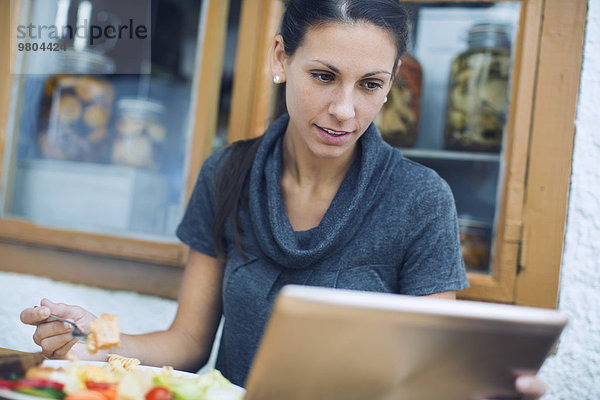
(399, 116)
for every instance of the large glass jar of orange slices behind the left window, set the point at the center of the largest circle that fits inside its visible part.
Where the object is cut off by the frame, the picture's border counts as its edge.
(76, 109)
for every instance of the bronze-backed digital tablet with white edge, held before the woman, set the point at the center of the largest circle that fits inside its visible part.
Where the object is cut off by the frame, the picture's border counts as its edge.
(333, 344)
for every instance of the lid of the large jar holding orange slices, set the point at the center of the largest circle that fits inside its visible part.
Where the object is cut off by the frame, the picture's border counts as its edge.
(84, 62)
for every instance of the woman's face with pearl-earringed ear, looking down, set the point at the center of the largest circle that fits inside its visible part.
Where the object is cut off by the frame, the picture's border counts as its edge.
(336, 83)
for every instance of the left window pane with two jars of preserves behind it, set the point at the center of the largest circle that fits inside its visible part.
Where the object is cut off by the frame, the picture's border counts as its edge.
(97, 147)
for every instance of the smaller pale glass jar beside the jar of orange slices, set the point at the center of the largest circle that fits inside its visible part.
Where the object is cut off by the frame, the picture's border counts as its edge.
(140, 133)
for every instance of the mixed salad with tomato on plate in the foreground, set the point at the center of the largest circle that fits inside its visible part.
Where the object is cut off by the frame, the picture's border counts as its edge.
(121, 379)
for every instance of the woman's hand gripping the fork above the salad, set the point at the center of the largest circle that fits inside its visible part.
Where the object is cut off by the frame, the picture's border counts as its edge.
(54, 337)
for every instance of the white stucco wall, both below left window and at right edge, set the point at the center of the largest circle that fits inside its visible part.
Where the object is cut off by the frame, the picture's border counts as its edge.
(573, 373)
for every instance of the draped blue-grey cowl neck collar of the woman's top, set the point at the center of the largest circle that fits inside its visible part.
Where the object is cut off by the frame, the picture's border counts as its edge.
(362, 186)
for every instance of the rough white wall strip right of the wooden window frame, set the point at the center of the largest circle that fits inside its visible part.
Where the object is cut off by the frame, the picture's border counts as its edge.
(574, 372)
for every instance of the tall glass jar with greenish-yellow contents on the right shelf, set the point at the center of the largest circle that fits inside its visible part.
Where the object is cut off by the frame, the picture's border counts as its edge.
(478, 91)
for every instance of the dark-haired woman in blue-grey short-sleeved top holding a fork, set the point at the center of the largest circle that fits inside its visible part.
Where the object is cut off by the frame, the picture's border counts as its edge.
(319, 199)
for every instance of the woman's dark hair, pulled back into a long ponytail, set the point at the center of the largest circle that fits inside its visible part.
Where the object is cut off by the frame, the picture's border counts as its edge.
(298, 18)
